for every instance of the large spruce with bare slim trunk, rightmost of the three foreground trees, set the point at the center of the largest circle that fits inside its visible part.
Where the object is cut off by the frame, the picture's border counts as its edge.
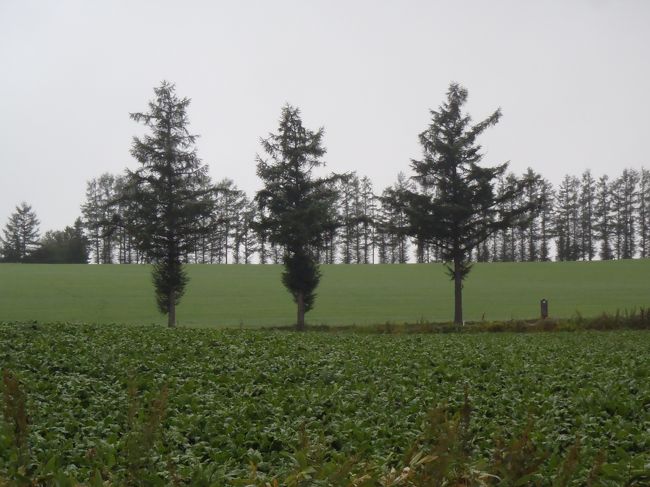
(456, 208)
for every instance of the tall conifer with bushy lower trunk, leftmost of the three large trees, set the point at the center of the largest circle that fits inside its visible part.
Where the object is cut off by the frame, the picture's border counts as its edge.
(169, 194)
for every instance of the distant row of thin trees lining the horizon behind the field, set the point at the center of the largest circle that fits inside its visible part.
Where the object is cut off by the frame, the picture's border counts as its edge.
(584, 218)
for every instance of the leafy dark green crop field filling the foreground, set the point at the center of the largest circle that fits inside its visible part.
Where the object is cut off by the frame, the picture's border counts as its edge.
(206, 406)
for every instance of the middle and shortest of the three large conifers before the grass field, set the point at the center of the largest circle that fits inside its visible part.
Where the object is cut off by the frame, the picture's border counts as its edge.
(296, 207)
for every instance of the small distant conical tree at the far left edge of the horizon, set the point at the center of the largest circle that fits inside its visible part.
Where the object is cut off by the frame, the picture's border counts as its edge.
(20, 234)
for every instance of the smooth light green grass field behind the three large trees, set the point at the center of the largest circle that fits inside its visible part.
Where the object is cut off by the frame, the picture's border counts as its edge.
(252, 295)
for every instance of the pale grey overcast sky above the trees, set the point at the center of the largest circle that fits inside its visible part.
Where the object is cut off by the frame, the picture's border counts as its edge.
(572, 79)
